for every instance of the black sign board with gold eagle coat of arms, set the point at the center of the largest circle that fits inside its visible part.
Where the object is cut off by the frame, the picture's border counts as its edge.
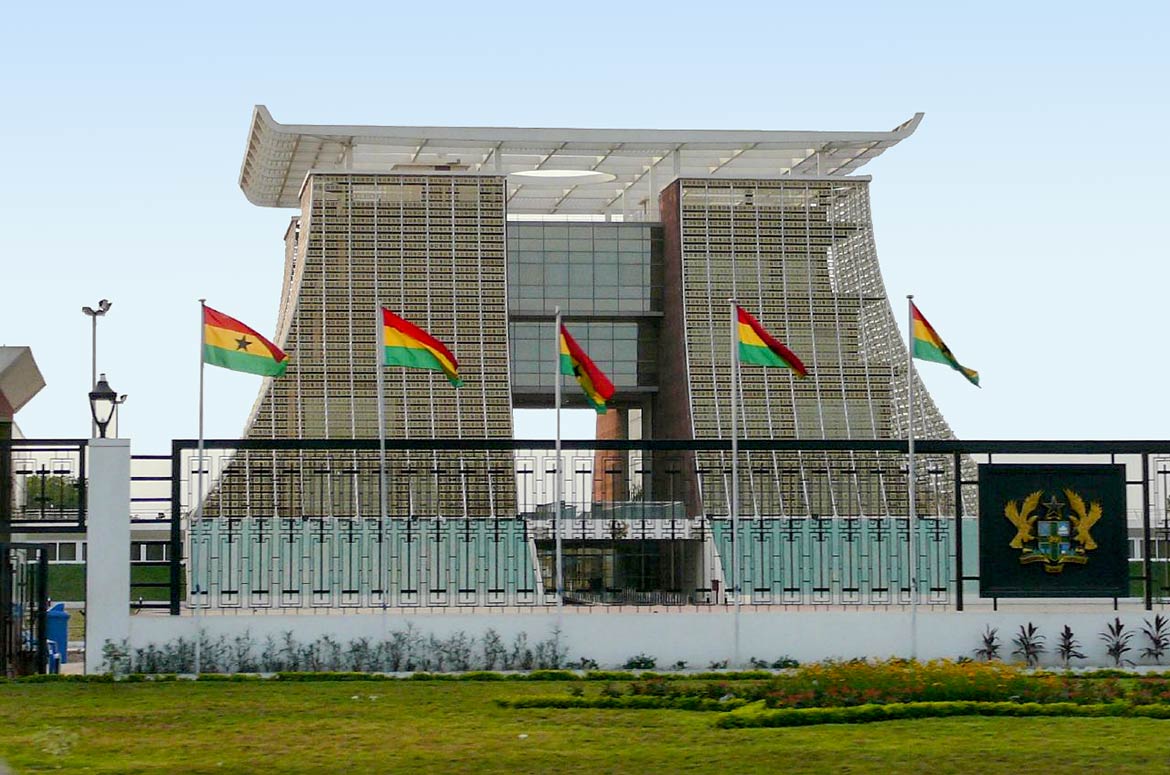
(1054, 531)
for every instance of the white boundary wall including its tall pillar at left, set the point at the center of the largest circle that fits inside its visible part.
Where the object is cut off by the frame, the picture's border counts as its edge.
(609, 637)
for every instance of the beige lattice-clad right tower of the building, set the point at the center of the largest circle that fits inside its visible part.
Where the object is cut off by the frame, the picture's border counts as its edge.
(800, 255)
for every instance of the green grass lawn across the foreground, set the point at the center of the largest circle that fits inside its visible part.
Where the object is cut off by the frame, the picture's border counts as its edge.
(442, 726)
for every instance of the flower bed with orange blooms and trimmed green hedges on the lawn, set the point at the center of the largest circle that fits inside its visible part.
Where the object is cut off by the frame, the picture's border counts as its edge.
(858, 691)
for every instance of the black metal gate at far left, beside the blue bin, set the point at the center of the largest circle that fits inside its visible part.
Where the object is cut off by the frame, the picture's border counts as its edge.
(24, 609)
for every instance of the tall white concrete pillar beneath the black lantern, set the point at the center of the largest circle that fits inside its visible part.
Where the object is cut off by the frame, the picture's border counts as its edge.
(108, 560)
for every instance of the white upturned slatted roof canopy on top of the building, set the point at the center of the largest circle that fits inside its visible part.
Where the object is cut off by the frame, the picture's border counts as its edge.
(634, 163)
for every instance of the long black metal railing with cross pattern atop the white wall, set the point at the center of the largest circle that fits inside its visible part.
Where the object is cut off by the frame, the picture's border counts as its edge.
(316, 524)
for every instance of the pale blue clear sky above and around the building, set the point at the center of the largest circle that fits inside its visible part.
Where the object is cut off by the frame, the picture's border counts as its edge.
(1028, 214)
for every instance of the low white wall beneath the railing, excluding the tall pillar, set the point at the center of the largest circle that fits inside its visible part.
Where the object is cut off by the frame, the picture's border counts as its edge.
(698, 639)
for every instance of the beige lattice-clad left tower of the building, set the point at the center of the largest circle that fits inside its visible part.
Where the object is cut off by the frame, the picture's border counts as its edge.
(432, 250)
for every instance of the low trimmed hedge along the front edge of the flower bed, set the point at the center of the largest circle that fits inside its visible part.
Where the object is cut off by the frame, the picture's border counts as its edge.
(758, 717)
